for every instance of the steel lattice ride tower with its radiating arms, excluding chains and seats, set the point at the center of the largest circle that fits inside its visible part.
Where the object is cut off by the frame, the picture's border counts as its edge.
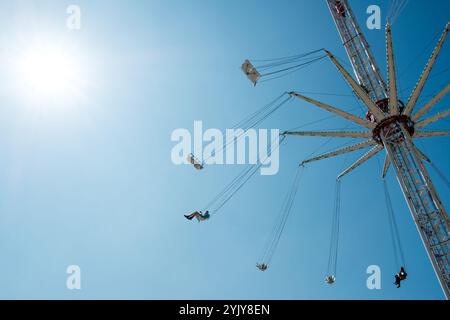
(392, 126)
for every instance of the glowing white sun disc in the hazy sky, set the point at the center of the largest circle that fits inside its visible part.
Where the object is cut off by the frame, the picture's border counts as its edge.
(48, 72)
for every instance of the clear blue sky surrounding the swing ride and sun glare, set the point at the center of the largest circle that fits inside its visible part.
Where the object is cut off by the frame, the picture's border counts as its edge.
(89, 180)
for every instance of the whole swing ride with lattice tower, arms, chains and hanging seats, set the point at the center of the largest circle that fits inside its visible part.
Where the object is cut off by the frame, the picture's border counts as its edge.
(389, 124)
